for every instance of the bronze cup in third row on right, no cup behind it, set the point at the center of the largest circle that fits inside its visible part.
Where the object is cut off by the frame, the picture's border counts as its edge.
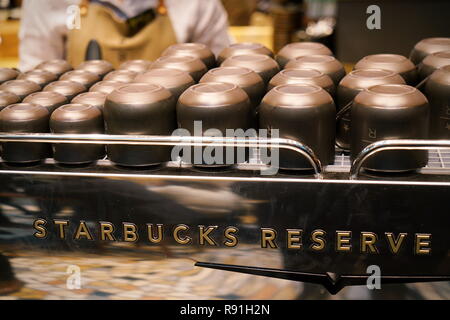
(392, 62)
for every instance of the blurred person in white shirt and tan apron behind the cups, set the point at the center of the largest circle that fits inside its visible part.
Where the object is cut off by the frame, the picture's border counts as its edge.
(124, 29)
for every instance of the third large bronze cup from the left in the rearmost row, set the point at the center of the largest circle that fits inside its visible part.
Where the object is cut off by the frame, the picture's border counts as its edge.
(300, 49)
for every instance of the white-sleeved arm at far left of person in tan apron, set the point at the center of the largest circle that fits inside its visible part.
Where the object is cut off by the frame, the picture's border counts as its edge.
(42, 32)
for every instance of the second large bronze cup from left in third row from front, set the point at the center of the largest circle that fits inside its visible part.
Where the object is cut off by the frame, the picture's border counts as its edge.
(262, 64)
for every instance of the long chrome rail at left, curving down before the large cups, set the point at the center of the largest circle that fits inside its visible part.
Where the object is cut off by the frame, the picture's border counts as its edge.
(193, 141)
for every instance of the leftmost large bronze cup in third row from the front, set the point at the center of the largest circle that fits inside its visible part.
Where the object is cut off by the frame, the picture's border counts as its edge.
(194, 66)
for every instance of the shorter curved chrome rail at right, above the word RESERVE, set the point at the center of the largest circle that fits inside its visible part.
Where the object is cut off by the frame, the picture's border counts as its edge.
(398, 144)
